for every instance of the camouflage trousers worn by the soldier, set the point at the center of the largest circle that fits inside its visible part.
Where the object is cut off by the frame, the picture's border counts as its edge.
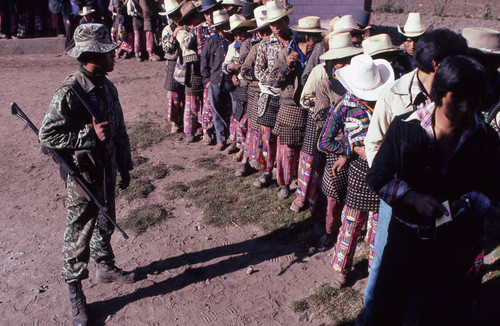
(88, 233)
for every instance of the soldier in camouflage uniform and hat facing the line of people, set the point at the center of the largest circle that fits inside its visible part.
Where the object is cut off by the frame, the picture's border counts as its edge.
(98, 147)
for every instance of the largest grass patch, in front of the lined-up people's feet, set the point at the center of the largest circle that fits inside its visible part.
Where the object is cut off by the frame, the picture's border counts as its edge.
(228, 200)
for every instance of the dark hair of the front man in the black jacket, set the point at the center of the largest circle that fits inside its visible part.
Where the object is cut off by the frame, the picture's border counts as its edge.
(463, 76)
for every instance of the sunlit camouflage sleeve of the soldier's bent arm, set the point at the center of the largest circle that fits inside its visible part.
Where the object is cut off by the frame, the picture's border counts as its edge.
(59, 129)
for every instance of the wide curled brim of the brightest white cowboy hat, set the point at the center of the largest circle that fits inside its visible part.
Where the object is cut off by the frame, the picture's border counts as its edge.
(346, 75)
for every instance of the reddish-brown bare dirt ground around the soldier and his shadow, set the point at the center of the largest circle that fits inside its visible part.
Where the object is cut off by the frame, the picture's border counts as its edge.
(190, 273)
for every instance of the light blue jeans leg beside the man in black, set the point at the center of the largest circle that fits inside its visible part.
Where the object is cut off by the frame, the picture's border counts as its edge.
(384, 218)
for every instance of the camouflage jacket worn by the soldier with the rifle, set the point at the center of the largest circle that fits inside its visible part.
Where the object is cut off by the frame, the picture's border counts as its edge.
(67, 125)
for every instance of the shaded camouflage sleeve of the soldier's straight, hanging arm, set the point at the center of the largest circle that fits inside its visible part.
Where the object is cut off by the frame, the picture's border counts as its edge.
(121, 140)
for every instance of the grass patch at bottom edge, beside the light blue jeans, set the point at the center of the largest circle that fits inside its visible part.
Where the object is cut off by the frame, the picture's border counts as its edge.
(340, 306)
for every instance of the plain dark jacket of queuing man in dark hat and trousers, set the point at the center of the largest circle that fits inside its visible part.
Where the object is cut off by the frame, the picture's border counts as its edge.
(212, 57)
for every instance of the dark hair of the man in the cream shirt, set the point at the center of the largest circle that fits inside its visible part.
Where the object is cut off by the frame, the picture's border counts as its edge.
(437, 45)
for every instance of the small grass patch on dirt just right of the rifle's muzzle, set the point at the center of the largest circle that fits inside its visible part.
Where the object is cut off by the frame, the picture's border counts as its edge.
(140, 219)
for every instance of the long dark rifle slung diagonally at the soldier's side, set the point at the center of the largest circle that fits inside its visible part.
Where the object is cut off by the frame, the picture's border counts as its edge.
(16, 110)
